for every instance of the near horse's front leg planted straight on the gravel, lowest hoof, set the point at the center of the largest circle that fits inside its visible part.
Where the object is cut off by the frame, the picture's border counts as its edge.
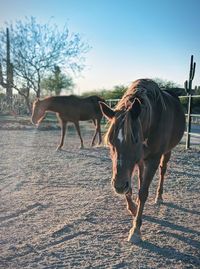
(150, 167)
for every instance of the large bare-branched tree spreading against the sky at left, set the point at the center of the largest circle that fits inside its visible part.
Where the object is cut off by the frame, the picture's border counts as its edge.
(35, 49)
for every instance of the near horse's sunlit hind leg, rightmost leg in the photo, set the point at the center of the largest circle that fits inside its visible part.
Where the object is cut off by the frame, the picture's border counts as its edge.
(163, 167)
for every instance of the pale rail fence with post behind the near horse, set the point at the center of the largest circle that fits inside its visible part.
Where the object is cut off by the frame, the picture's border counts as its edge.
(190, 118)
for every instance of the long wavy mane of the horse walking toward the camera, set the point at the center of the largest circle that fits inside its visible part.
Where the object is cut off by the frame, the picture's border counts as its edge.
(148, 93)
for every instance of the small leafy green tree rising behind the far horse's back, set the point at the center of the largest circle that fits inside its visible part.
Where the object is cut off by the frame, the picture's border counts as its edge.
(56, 82)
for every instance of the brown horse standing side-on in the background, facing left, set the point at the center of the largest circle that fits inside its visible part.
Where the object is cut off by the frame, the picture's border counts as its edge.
(70, 109)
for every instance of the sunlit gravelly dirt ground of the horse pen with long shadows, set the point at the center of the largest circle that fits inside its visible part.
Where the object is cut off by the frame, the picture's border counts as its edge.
(58, 209)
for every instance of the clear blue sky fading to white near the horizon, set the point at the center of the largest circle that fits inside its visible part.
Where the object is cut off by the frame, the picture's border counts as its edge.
(129, 39)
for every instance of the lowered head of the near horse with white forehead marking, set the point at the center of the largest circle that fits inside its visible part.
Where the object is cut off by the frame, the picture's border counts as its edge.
(124, 138)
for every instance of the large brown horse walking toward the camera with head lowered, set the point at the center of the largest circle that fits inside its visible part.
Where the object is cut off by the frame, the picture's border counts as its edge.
(145, 125)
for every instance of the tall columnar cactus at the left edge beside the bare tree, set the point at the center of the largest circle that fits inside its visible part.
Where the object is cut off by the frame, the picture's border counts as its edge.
(9, 72)
